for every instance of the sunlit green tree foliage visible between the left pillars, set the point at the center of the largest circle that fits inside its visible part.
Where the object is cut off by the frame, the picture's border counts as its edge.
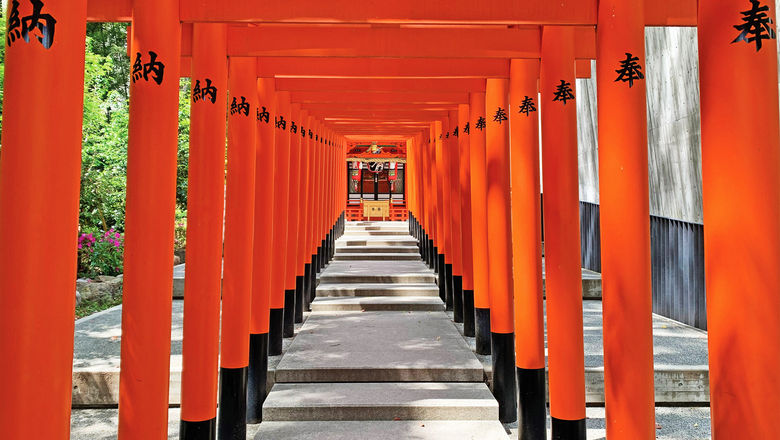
(105, 128)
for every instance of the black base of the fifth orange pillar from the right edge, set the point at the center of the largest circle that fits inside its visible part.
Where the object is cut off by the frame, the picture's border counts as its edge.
(504, 388)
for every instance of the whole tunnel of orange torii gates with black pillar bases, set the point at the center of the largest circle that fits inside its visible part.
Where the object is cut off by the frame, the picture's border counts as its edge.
(464, 85)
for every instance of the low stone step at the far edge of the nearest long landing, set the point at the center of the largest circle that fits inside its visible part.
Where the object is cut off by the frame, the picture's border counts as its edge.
(378, 303)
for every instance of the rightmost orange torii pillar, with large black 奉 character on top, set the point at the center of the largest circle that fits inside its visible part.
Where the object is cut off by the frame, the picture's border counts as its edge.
(741, 184)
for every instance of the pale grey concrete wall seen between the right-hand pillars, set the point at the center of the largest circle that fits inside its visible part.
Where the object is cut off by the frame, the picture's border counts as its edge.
(674, 146)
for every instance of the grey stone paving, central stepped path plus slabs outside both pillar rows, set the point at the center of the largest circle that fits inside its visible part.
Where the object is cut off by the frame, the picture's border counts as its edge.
(378, 351)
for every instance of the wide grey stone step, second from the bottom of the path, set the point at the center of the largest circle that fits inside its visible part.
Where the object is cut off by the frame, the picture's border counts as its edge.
(379, 402)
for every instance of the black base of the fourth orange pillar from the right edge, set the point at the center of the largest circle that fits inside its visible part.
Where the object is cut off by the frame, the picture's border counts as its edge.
(532, 404)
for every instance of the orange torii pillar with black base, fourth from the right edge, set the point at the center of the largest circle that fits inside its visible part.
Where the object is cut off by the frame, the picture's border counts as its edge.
(527, 249)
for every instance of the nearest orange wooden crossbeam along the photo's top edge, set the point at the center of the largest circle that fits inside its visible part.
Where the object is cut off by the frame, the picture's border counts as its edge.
(580, 12)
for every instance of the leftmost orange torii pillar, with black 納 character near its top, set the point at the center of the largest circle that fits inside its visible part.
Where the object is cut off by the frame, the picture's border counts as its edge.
(40, 167)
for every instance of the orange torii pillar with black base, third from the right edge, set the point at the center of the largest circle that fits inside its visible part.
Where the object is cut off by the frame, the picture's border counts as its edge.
(566, 358)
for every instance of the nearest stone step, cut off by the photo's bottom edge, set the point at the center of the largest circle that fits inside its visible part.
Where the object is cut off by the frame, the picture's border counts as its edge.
(383, 430)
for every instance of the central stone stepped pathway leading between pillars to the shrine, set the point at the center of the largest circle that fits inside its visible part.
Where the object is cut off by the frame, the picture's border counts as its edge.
(378, 357)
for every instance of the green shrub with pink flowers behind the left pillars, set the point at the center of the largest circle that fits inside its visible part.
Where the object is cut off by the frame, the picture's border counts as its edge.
(101, 255)
